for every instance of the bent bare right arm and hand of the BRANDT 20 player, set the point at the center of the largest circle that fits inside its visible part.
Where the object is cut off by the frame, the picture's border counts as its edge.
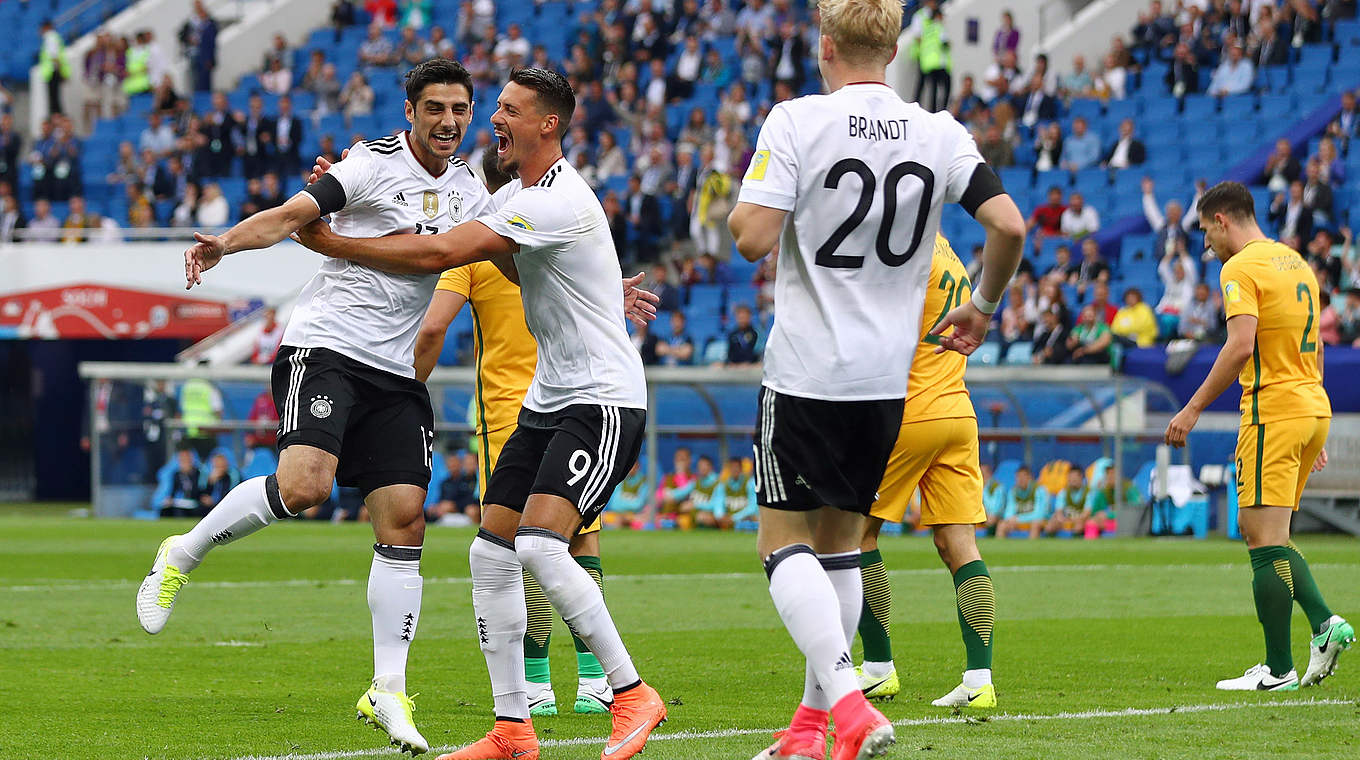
(1000, 258)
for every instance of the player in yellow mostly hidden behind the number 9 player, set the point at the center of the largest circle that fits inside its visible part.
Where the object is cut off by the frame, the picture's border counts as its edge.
(507, 357)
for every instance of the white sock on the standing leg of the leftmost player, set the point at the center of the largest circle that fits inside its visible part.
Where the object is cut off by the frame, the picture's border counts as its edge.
(395, 588)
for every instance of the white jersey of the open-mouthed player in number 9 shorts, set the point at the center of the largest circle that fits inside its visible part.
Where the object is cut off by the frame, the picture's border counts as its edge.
(573, 294)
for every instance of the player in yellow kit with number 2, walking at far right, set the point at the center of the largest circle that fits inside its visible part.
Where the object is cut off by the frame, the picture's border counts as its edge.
(1271, 301)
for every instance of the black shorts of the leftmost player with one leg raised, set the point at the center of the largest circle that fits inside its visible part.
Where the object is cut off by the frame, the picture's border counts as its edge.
(380, 425)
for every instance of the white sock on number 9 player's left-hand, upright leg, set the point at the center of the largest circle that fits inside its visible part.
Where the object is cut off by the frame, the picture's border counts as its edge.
(498, 603)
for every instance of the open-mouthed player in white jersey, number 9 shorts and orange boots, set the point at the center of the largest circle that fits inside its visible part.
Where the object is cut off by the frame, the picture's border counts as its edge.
(583, 419)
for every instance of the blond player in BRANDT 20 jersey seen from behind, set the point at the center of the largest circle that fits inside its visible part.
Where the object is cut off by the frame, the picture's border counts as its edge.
(851, 186)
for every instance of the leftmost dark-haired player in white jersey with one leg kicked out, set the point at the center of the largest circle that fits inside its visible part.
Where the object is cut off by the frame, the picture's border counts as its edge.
(350, 406)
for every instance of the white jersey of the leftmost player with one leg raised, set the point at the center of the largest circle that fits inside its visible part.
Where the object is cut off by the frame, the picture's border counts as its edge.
(368, 315)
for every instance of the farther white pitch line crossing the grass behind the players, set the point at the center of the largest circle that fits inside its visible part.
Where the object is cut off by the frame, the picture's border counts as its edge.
(636, 577)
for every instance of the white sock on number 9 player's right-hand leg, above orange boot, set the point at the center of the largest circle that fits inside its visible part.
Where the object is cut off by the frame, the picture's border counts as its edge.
(577, 599)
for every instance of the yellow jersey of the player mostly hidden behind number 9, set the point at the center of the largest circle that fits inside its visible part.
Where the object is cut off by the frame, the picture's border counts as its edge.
(505, 353)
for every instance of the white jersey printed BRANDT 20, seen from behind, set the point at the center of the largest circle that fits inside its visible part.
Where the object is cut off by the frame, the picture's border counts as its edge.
(866, 176)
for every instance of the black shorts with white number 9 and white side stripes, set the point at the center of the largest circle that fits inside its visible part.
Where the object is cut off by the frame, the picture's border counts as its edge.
(580, 453)
